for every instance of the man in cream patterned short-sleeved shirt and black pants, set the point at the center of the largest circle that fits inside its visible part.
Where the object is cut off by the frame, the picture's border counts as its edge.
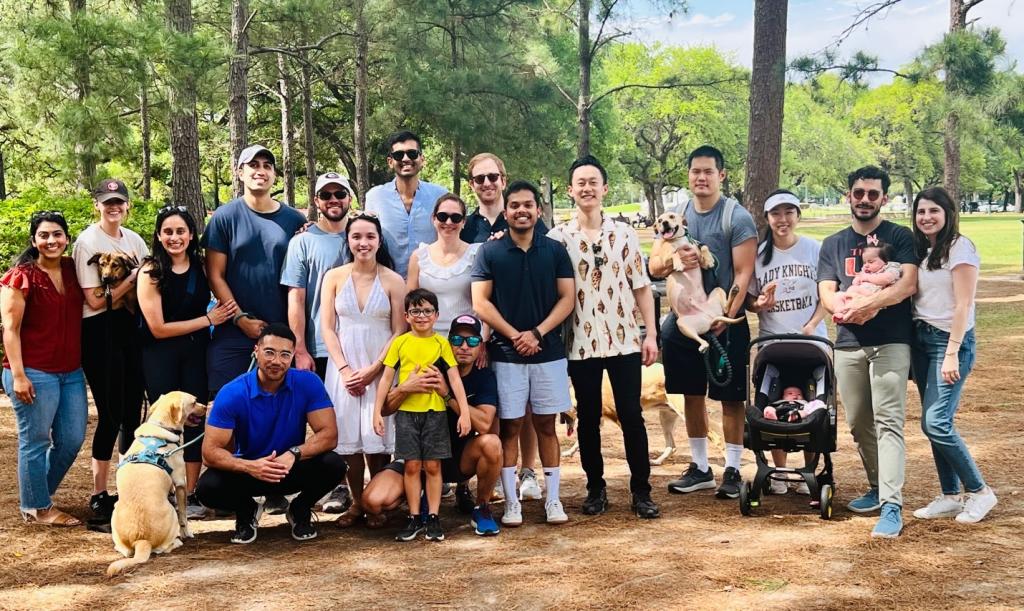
(613, 283)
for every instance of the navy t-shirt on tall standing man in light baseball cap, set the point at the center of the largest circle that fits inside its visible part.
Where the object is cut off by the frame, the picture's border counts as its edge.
(255, 245)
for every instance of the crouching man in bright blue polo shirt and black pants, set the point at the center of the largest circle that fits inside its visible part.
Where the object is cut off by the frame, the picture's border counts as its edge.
(257, 444)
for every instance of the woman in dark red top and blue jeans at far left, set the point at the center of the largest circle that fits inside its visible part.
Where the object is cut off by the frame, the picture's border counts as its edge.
(41, 309)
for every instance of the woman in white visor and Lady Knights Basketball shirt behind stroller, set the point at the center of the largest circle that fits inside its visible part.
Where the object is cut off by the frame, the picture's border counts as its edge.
(787, 303)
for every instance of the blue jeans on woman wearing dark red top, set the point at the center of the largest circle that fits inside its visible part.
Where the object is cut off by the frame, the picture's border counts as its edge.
(51, 431)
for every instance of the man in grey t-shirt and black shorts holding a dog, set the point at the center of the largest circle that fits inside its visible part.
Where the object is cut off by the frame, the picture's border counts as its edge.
(728, 229)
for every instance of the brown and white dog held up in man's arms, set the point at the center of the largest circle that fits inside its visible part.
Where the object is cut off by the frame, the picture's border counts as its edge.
(697, 312)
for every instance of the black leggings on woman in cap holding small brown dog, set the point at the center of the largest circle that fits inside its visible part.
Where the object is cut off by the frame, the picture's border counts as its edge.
(113, 366)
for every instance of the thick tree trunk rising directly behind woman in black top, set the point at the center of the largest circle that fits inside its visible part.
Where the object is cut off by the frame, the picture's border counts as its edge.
(186, 186)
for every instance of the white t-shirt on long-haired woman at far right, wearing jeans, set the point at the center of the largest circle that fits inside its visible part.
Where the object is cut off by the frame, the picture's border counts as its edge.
(934, 301)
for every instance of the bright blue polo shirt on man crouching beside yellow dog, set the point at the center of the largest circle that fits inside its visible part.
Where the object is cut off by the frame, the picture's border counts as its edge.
(266, 422)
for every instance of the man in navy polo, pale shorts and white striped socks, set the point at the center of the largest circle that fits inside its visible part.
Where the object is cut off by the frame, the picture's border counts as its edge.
(524, 290)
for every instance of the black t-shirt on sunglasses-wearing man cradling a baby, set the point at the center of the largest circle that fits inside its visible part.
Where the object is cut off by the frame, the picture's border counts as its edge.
(840, 261)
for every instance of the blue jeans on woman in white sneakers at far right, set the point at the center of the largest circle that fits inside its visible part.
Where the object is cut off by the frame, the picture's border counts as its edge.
(940, 403)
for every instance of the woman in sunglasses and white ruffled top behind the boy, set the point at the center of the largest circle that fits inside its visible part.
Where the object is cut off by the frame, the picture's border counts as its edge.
(445, 268)
